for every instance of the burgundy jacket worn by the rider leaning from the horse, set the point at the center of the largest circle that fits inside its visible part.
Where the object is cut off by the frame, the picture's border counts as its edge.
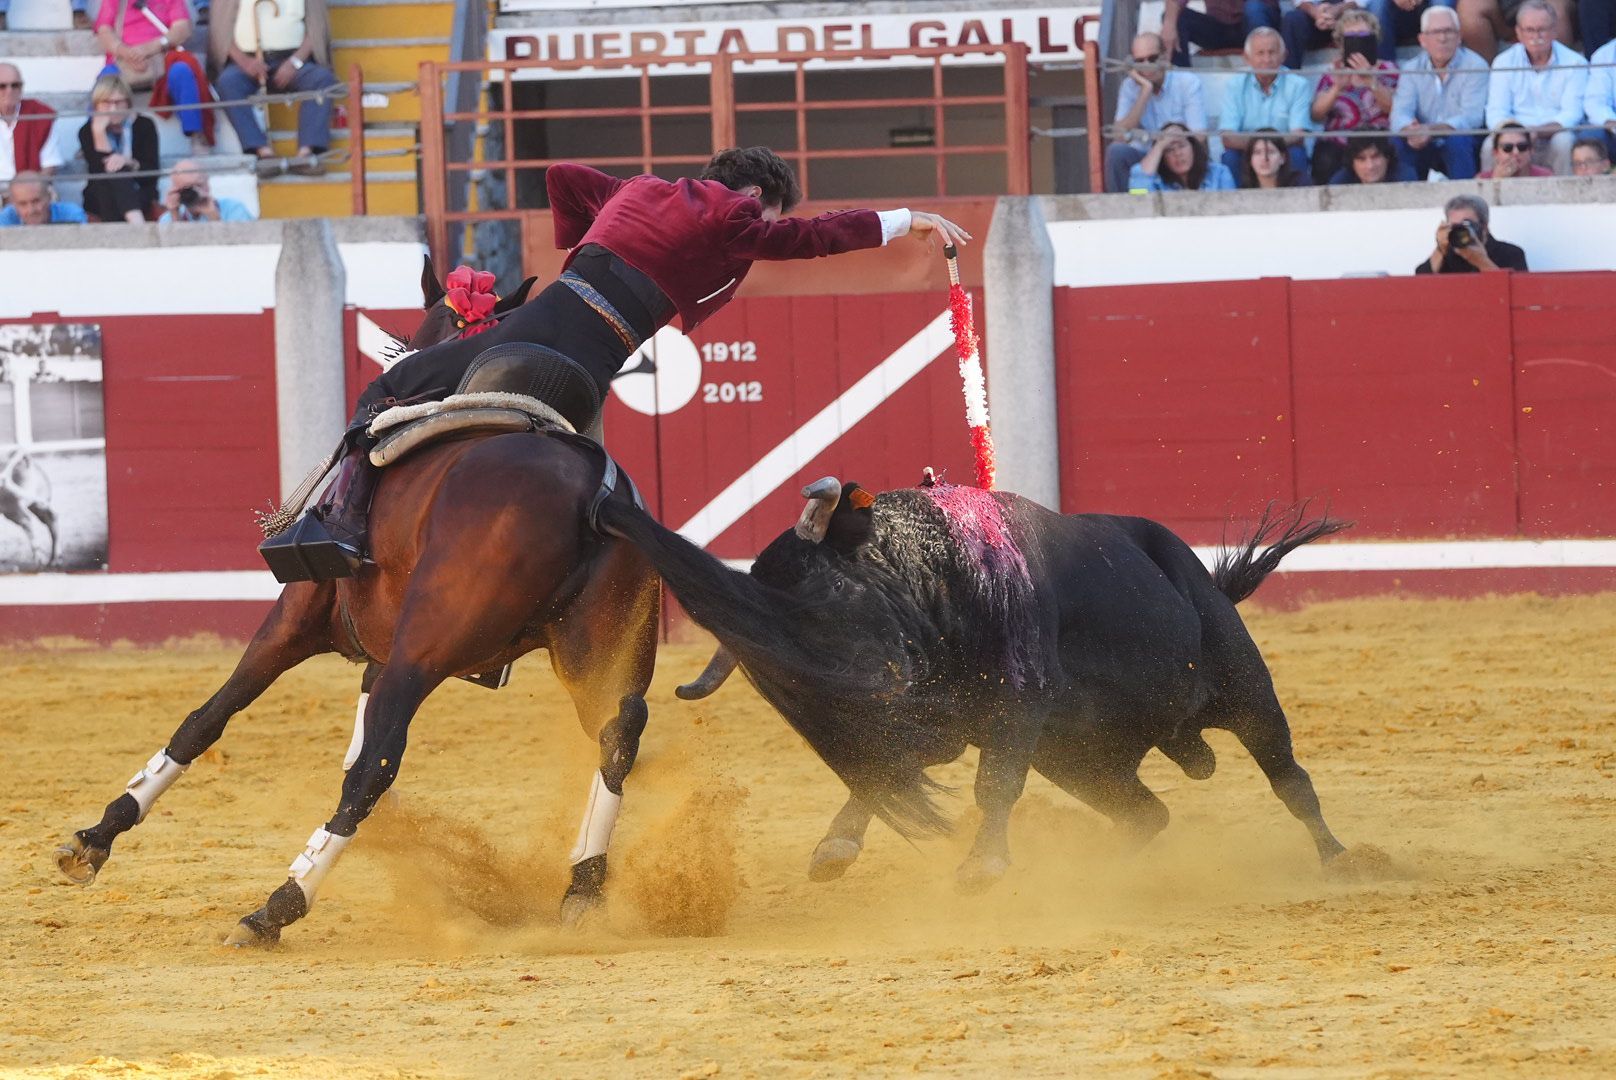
(694, 238)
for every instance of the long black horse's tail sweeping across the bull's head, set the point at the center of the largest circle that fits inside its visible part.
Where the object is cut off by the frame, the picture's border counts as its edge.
(807, 664)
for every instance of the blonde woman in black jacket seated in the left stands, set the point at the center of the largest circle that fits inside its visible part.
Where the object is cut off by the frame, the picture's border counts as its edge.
(117, 141)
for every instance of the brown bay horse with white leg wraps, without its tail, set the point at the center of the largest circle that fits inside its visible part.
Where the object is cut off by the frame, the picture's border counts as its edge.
(481, 554)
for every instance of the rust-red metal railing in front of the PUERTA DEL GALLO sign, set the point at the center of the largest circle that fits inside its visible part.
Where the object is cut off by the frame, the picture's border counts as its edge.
(725, 111)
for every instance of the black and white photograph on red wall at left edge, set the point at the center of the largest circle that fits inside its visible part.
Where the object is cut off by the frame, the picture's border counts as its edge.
(53, 449)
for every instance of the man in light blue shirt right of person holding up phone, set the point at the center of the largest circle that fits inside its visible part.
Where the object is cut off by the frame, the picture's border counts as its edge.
(1441, 93)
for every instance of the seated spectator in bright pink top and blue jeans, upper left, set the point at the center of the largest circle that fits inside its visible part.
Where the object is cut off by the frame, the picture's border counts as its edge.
(141, 40)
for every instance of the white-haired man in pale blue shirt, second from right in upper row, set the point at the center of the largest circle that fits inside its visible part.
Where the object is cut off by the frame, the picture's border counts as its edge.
(1541, 85)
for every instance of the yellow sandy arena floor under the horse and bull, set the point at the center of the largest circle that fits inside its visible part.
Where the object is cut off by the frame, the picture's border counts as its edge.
(1471, 743)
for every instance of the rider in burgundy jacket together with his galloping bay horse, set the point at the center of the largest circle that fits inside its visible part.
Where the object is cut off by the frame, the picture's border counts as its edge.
(484, 547)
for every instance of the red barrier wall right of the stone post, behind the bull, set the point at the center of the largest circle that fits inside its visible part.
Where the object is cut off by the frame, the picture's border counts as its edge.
(1452, 407)
